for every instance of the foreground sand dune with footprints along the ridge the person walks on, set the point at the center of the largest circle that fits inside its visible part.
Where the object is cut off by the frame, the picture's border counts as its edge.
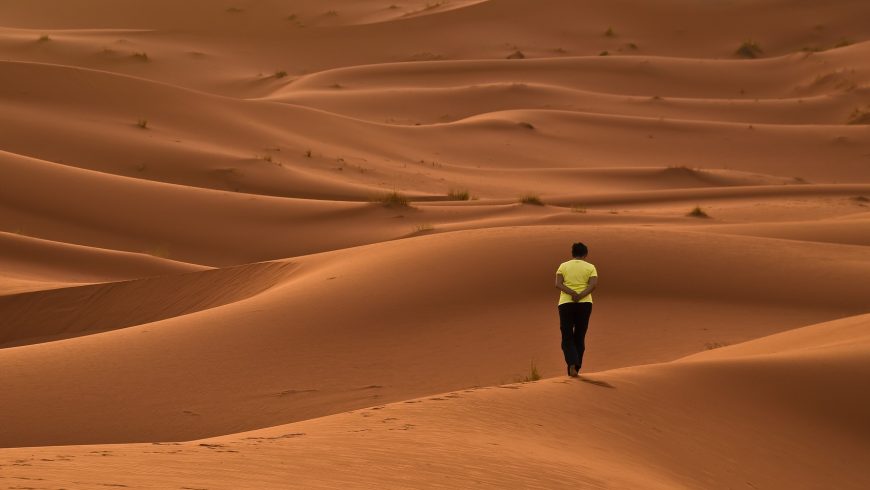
(779, 412)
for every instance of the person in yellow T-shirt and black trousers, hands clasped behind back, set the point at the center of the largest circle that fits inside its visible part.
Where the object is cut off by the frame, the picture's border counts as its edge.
(576, 279)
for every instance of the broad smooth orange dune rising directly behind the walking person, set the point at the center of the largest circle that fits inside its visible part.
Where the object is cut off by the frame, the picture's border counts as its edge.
(406, 306)
